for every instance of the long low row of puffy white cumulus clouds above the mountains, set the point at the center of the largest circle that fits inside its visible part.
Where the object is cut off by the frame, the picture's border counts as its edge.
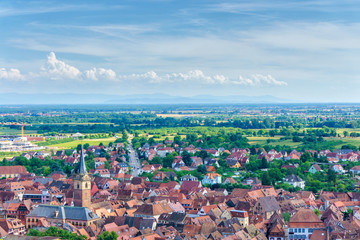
(56, 69)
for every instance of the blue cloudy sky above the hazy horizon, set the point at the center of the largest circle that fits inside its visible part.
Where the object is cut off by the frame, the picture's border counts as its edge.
(299, 50)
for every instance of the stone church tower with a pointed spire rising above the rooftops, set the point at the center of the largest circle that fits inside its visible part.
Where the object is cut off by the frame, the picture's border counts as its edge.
(82, 184)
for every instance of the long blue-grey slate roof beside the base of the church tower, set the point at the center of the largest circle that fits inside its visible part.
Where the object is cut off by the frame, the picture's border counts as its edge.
(64, 212)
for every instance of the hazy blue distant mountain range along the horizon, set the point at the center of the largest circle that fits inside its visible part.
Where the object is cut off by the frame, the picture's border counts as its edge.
(70, 98)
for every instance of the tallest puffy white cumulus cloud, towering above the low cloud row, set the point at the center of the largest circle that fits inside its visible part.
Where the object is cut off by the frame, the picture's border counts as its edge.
(56, 69)
